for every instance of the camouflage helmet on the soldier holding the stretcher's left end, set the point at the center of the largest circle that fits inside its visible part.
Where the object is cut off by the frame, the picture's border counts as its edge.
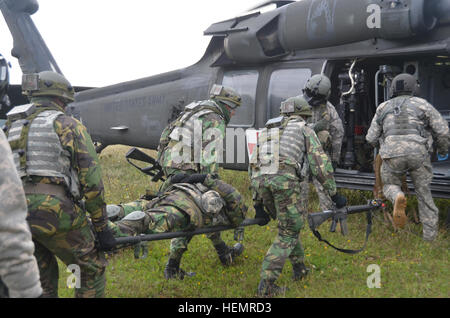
(47, 83)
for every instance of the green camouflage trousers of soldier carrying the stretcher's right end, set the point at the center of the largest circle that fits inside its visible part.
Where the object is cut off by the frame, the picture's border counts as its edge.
(280, 196)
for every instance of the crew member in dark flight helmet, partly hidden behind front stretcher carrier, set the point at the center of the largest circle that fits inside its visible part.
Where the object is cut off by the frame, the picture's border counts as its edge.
(327, 124)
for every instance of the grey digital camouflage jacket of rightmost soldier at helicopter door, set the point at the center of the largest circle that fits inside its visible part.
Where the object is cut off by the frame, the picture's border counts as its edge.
(421, 117)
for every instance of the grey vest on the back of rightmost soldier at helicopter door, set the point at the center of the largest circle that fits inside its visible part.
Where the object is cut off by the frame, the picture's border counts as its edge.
(401, 123)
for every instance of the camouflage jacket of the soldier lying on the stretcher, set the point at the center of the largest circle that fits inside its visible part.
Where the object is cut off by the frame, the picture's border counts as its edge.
(233, 214)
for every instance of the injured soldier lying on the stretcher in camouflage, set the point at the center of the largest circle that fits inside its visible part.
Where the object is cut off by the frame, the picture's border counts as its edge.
(199, 200)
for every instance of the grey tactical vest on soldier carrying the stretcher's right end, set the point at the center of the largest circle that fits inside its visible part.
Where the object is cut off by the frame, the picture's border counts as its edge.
(287, 142)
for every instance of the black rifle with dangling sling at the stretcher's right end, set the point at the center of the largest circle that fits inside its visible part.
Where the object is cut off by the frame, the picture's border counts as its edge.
(340, 215)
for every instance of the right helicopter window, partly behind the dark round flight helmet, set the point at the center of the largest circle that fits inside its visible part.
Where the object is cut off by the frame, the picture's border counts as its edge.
(283, 84)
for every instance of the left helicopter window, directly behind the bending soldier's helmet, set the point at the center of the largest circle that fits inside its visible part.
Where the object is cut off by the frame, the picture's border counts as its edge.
(244, 82)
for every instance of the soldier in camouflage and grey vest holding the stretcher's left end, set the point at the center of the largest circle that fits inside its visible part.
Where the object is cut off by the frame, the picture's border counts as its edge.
(59, 167)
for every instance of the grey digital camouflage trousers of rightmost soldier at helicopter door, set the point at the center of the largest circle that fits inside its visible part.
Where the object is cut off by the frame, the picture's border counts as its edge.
(421, 173)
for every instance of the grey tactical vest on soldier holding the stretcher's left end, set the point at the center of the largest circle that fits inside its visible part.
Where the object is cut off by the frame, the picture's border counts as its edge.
(36, 147)
